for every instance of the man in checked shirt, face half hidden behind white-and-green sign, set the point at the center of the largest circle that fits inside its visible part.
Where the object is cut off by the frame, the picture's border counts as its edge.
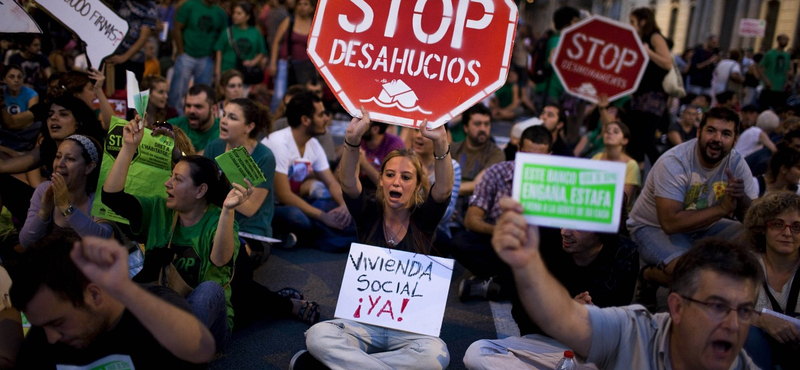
(471, 247)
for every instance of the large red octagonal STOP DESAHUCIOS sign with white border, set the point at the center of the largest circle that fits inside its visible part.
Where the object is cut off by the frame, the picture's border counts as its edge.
(410, 60)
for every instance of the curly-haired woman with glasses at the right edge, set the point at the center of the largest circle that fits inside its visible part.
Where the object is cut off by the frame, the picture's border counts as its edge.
(772, 225)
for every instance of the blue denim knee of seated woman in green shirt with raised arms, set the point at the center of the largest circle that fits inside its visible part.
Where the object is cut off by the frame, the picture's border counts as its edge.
(207, 301)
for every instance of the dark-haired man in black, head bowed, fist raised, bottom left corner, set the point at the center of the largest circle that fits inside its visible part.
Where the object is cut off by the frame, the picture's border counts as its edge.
(87, 313)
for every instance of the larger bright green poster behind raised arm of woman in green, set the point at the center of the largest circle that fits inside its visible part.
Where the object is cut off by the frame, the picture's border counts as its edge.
(150, 168)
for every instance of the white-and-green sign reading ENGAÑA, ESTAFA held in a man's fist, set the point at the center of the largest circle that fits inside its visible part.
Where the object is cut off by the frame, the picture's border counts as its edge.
(566, 192)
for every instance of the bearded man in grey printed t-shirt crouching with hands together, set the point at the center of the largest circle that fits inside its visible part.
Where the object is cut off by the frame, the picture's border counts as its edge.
(687, 196)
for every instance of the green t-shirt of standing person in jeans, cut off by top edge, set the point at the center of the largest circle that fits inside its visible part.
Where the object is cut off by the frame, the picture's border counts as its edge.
(203, 24)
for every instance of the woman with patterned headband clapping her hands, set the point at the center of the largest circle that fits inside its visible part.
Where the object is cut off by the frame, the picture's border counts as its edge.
(66, 200)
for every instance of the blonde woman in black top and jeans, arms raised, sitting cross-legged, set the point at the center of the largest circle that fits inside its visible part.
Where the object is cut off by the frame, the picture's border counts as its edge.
(399, 217)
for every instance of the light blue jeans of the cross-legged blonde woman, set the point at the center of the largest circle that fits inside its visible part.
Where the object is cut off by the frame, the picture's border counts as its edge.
(345, 344)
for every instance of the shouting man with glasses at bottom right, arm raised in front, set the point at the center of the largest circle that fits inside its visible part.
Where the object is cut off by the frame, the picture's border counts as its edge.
(711, 303)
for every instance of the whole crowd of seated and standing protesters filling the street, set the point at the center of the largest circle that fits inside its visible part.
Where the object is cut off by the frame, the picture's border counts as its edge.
(711, 206)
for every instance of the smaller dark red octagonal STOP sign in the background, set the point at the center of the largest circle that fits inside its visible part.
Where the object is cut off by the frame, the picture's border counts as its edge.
(600, 56)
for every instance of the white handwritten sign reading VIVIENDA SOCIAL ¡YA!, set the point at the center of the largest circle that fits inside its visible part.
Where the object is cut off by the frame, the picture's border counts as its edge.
(394, 289)
